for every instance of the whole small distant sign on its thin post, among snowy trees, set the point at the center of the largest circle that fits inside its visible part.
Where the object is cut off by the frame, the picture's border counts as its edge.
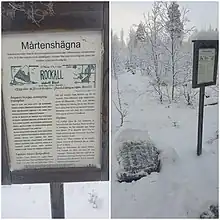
(205, 64)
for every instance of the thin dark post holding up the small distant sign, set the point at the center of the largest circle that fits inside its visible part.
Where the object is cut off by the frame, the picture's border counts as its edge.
(200, 120)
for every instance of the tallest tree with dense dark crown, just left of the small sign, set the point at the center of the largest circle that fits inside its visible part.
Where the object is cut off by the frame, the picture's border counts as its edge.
(174, 21)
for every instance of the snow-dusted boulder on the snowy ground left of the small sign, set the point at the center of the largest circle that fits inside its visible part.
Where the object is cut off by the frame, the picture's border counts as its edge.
(136, 160)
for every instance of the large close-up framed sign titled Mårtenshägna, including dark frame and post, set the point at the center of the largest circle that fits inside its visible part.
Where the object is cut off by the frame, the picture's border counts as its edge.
(55, 96)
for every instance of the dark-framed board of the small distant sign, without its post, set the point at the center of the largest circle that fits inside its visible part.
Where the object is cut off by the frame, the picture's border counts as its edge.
(205, 63)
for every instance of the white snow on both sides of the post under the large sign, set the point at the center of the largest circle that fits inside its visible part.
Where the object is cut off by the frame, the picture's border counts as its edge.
(82, 200)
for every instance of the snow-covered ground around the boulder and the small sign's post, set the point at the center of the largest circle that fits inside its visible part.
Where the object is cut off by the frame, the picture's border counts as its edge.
(184, 187)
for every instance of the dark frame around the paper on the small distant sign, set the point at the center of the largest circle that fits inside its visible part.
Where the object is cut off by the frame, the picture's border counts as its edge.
(199, 44)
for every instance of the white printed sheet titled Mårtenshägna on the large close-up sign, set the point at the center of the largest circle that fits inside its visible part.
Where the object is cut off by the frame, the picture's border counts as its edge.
(52, 93)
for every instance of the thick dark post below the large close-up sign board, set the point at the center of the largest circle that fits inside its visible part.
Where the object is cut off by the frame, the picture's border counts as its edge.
(57, 200)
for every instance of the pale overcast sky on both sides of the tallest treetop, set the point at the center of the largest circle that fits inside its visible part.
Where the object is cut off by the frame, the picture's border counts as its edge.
(124, 14)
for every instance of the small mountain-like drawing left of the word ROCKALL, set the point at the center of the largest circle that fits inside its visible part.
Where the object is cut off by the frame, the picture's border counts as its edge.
(21, 75)
